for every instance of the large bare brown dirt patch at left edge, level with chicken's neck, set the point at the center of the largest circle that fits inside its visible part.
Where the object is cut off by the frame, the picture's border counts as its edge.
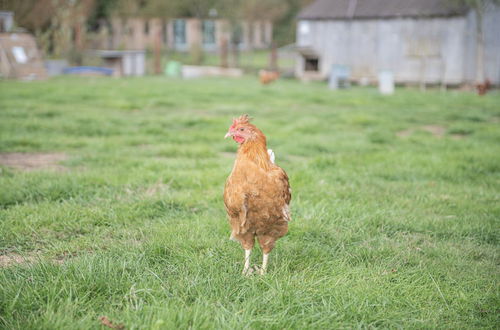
(33, 161)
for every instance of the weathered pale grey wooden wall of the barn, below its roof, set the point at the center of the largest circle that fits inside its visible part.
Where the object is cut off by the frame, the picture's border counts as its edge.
(434, 50)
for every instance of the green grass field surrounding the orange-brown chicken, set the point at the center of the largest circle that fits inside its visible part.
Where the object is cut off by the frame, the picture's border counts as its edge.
(396, 207)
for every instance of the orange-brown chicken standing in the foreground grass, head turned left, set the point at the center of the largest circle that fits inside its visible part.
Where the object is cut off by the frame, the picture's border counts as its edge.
(257, 193)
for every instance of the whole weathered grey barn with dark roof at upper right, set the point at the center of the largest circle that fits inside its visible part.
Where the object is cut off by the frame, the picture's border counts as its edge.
(419, 41)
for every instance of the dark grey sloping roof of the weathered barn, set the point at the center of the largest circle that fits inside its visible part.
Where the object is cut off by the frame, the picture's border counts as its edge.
(347, 9)
